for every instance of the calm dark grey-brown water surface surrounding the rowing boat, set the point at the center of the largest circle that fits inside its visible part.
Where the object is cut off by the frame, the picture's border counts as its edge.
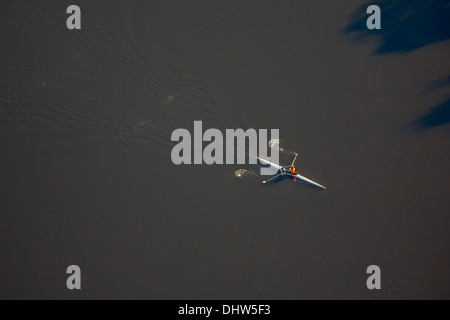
(87, 179)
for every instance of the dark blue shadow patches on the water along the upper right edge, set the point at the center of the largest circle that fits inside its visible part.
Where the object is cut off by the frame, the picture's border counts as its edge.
(407, 25)
